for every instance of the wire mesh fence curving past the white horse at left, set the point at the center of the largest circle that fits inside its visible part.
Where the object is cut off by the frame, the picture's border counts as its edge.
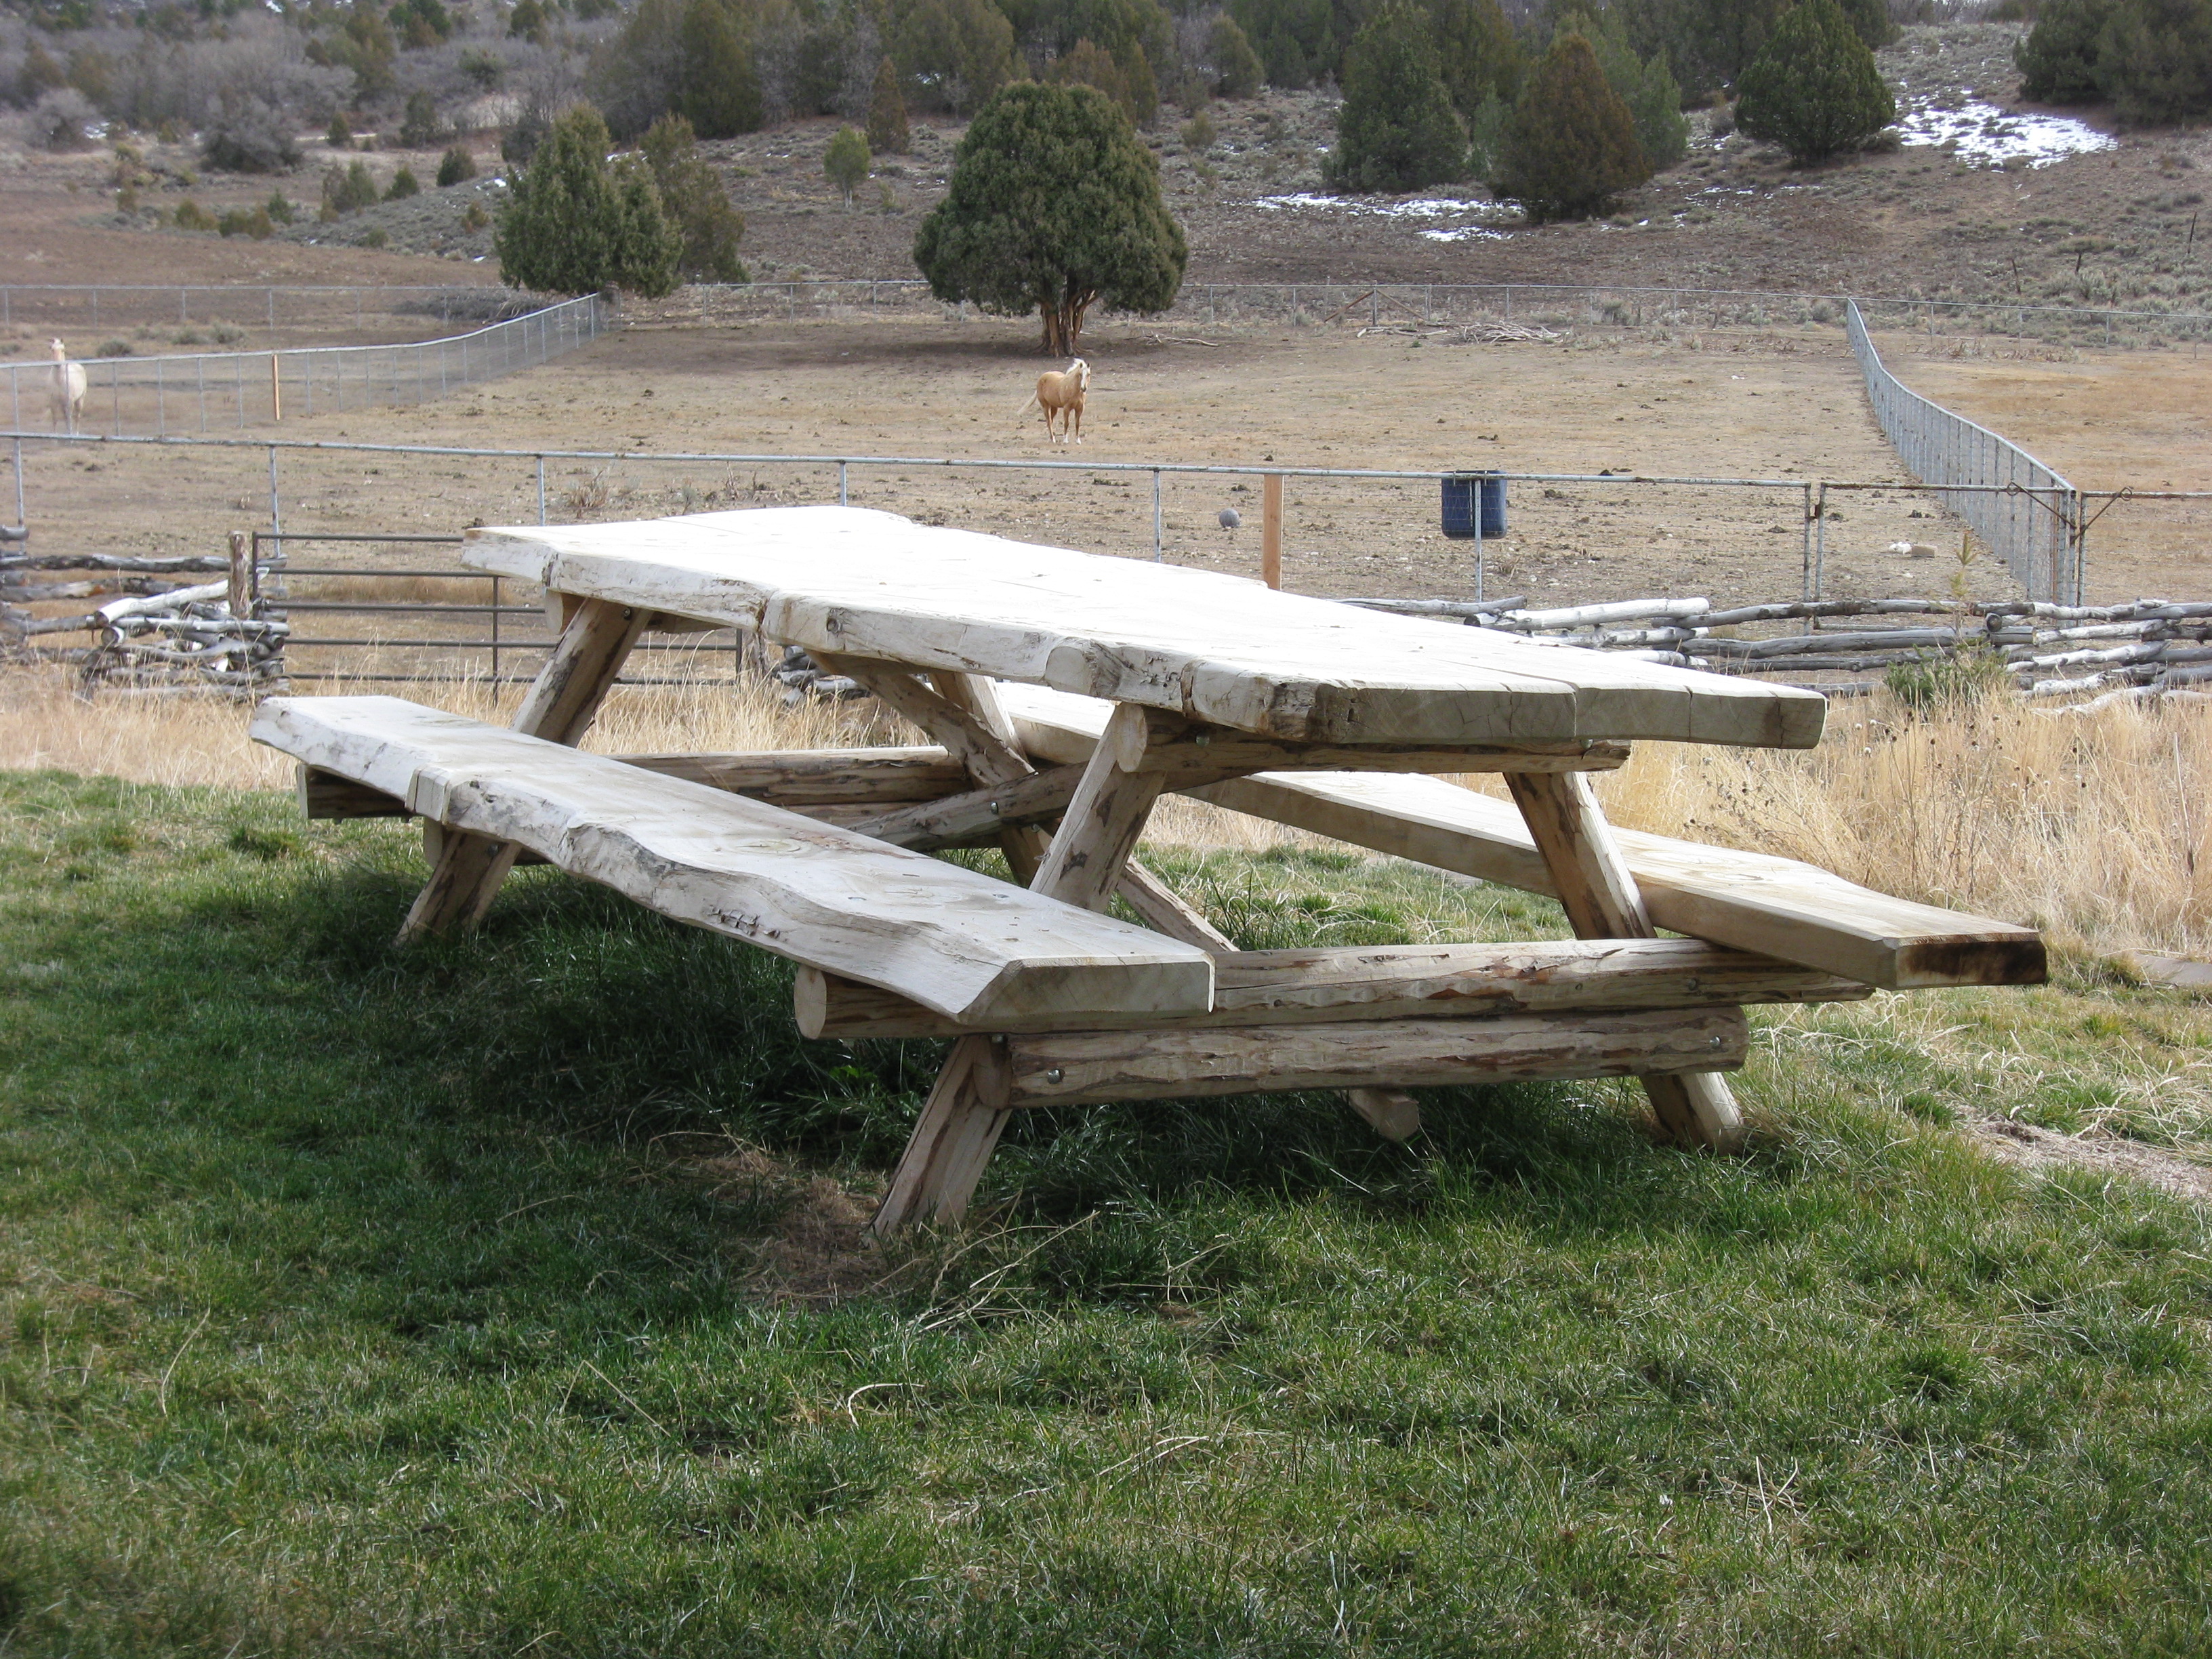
(158, 397)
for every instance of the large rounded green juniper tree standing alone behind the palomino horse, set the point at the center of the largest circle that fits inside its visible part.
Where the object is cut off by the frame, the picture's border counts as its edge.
(1054, 209)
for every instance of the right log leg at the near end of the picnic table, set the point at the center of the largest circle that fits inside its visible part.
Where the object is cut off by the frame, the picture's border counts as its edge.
(1603, 901)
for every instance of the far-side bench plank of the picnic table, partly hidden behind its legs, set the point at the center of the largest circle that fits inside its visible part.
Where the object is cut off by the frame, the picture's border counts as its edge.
(1751, 901)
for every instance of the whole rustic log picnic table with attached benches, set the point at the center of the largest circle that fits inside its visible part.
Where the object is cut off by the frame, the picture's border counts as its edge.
(1065, 693)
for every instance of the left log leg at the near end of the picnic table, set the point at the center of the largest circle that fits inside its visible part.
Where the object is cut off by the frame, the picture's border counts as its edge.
(963, 1116)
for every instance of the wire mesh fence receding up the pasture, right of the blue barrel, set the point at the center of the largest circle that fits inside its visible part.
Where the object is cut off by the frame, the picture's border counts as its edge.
(2023, 510)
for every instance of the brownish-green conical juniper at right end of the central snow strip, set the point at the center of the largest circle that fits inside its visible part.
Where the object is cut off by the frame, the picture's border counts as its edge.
(1572, 145)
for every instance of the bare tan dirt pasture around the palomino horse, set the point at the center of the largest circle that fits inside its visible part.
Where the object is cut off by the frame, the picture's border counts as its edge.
(1777, 406)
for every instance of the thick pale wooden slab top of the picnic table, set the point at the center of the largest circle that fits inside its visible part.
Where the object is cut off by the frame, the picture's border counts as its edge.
(1213, 647)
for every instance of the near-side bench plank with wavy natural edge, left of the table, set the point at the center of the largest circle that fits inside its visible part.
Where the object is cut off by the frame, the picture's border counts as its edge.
(946, 937)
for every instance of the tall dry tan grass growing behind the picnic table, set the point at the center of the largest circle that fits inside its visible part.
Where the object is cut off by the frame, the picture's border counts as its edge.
(2096, 828)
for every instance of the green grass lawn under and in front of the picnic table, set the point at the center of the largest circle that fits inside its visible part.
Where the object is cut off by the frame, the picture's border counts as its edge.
(501, 1297)
